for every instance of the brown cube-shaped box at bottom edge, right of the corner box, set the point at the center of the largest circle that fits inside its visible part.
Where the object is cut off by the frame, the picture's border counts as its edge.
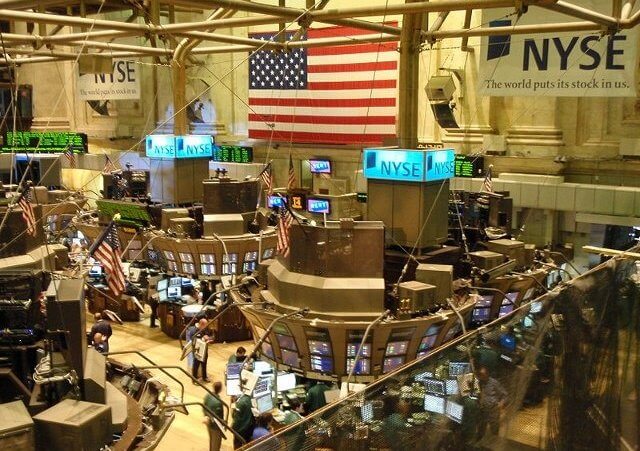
(72, 424)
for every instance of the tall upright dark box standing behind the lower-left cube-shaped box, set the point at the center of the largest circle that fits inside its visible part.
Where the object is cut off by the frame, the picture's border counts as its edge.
(66, 313)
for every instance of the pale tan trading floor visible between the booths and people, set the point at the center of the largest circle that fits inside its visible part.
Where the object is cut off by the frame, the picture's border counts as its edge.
(187, 433)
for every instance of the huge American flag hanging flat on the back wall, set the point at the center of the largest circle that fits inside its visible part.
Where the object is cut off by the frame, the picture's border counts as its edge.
(332, 95)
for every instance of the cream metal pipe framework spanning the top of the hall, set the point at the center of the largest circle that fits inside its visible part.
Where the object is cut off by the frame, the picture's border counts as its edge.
(40, 46)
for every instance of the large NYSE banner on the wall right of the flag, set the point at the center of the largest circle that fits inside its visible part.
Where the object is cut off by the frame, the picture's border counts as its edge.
(569, 64)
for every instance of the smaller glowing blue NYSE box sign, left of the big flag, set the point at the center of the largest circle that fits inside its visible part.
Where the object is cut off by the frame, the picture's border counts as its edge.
(170, 146)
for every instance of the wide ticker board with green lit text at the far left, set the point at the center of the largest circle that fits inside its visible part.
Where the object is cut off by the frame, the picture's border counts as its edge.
(45, 142)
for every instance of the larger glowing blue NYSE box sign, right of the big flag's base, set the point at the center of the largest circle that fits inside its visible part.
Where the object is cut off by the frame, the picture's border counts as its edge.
(409, 165)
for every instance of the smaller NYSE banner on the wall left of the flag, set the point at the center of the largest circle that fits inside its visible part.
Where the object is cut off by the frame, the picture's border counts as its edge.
(123, 83)
